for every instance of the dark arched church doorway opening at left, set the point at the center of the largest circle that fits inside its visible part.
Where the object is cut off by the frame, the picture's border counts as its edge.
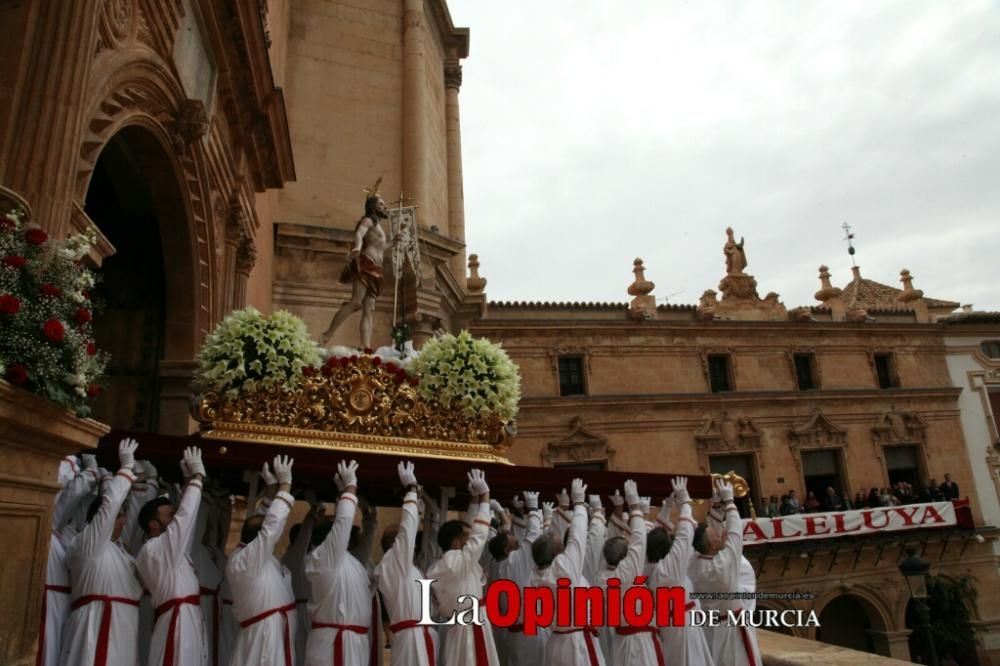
(136, 202)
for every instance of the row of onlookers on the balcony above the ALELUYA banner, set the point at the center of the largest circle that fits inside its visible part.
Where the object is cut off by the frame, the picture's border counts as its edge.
(867, 498)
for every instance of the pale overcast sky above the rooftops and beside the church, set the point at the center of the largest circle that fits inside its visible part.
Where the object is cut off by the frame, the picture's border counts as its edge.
(594, 132)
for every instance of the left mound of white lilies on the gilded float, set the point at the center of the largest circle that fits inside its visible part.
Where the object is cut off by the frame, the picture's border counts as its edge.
(248, 350)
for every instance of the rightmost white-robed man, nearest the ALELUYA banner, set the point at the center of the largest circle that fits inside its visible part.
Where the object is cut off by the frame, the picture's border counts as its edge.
(719, 571)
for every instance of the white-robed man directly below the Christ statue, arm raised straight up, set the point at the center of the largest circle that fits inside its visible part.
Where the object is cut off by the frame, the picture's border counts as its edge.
(341, 603)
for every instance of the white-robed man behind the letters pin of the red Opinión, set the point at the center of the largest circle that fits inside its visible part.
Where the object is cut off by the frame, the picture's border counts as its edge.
(575, 645)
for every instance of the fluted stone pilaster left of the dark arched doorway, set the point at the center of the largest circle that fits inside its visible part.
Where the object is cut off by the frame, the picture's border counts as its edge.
(42, 147)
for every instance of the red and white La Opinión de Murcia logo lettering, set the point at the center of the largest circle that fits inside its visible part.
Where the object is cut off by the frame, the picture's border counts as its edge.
(537, 608)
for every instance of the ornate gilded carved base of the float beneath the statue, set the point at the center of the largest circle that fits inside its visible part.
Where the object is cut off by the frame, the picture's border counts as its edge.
(353, 406)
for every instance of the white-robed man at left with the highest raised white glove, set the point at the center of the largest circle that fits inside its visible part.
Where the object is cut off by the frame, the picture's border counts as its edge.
(103, 622)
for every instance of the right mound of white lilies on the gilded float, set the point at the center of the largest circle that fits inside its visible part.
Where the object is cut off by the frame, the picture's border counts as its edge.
(473, 372)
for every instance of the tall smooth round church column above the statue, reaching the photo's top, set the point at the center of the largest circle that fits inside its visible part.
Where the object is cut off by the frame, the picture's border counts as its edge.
(415, 105)
